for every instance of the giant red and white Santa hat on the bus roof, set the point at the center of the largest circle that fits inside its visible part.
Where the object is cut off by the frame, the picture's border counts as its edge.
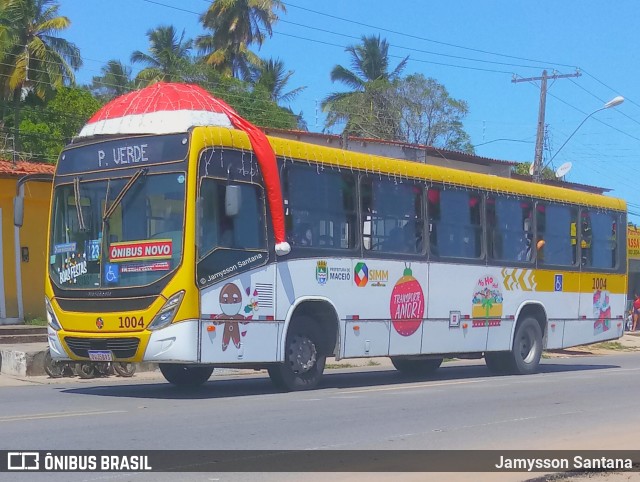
(165, 108)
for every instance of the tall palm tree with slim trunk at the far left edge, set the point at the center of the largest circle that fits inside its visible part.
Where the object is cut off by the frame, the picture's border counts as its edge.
(34, 57)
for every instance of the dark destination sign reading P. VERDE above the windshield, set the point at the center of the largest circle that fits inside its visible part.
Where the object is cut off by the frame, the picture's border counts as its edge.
(123, 153)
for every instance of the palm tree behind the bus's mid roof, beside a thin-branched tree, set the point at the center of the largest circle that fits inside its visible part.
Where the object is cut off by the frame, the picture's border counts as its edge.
(365, 109)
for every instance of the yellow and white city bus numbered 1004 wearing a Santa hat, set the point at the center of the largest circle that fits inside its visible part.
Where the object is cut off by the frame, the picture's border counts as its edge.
(166, 246)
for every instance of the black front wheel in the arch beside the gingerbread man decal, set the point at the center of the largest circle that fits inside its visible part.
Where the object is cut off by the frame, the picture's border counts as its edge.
(304, 360)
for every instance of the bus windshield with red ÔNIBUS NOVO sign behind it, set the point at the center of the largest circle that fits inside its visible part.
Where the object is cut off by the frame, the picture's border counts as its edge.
(117, 232)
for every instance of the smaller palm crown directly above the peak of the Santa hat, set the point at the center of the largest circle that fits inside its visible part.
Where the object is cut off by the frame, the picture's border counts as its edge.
(167, 58)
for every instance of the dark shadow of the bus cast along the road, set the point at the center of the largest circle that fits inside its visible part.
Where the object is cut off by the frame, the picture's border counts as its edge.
(234, 386)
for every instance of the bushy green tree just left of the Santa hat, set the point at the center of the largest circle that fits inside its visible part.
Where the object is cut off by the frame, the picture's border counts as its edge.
(47, 127)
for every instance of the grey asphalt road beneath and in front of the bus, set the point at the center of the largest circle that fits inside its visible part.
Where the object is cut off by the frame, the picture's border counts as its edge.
(584, 402)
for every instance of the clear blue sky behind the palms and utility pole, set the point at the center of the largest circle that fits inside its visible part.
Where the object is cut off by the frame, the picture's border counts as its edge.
(474, 48)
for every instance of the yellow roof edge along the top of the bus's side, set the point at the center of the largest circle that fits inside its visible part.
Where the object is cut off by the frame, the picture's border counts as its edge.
(330, 156)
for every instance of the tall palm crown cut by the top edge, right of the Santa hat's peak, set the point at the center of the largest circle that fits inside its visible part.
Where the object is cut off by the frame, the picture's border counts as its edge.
(235, 25)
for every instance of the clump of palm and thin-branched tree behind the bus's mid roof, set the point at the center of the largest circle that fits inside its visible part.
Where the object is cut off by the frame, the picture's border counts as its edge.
(384, 105)
